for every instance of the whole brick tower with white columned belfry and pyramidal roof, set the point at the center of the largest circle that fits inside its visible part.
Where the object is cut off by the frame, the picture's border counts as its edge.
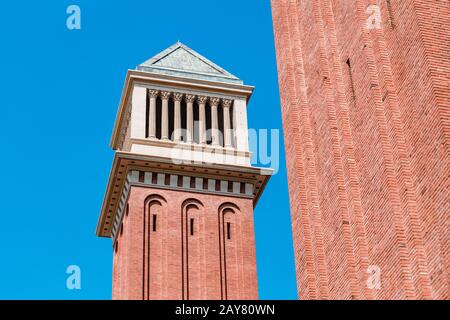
(180, 197)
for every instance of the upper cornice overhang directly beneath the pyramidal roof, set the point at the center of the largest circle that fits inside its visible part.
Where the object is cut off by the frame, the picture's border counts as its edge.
(174, 82)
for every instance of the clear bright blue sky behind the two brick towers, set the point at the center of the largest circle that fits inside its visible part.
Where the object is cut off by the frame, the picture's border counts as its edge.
(59, 94)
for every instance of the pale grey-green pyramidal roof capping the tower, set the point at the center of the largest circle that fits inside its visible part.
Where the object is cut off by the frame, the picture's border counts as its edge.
(180, 60)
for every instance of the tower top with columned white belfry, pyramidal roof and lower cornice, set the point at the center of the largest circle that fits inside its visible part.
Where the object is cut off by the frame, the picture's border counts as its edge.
(181, 125)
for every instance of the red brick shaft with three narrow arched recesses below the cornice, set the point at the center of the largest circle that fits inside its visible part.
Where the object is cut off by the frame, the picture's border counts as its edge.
(170, 263)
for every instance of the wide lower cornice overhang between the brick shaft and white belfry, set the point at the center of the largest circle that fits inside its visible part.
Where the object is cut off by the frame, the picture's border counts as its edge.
(124, 162)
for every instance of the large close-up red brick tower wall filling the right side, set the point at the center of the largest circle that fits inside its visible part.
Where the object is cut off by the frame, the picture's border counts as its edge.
(366, 117)
